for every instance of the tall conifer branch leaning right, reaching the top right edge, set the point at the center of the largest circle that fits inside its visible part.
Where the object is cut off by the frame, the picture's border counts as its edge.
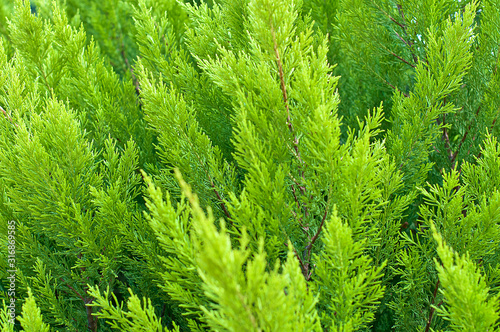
(447, 59)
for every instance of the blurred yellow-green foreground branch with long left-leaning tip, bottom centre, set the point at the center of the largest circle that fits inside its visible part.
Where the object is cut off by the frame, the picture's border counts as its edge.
(253, 300)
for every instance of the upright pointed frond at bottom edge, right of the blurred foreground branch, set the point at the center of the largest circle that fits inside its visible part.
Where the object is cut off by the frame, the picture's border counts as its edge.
(348, 283)
